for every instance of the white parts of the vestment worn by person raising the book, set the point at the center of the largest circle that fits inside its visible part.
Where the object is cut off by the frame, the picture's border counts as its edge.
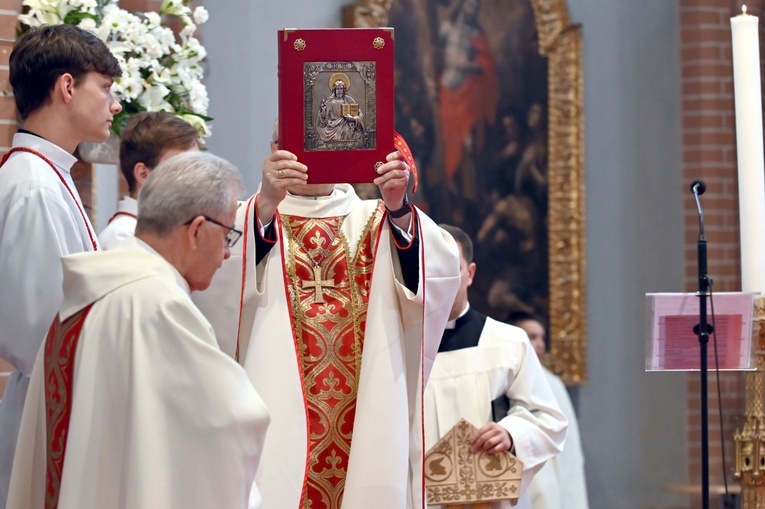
(402, 334)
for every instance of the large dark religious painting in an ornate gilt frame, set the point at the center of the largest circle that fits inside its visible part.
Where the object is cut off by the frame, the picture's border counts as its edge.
(488, 94)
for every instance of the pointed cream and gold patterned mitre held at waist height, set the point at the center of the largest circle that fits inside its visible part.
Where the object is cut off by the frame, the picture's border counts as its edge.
(455, 477)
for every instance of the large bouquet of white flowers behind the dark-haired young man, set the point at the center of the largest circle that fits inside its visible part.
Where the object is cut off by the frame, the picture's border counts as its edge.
(161, 71)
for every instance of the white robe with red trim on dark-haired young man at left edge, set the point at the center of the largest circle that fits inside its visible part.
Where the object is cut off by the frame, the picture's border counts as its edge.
(40, 221)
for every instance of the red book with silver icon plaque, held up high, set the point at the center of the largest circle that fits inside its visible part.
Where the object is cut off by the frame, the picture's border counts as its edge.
(336, 101)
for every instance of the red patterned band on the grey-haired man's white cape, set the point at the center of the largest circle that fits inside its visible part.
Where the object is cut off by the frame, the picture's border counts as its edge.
(60, 350)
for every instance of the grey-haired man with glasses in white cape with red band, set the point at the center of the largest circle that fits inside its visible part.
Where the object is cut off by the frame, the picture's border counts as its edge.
(132, 403)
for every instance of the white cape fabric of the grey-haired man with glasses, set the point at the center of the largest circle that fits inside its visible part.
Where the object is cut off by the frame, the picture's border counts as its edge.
(160, 417)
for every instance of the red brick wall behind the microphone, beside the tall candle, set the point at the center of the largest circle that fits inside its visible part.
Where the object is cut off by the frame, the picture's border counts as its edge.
(709, 153)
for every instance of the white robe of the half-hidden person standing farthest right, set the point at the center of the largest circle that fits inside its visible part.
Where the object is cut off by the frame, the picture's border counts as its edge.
(561, 483)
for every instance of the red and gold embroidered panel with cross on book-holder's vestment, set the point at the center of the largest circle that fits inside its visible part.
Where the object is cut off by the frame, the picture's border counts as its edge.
(329, 294)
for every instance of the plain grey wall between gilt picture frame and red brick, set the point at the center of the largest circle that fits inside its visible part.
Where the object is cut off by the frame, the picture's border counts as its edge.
(633, 423)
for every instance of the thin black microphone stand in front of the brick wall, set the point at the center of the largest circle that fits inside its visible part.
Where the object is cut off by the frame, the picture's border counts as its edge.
(702, 330)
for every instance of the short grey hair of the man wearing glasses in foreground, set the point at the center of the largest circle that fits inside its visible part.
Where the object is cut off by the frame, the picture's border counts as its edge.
(186, 186)
